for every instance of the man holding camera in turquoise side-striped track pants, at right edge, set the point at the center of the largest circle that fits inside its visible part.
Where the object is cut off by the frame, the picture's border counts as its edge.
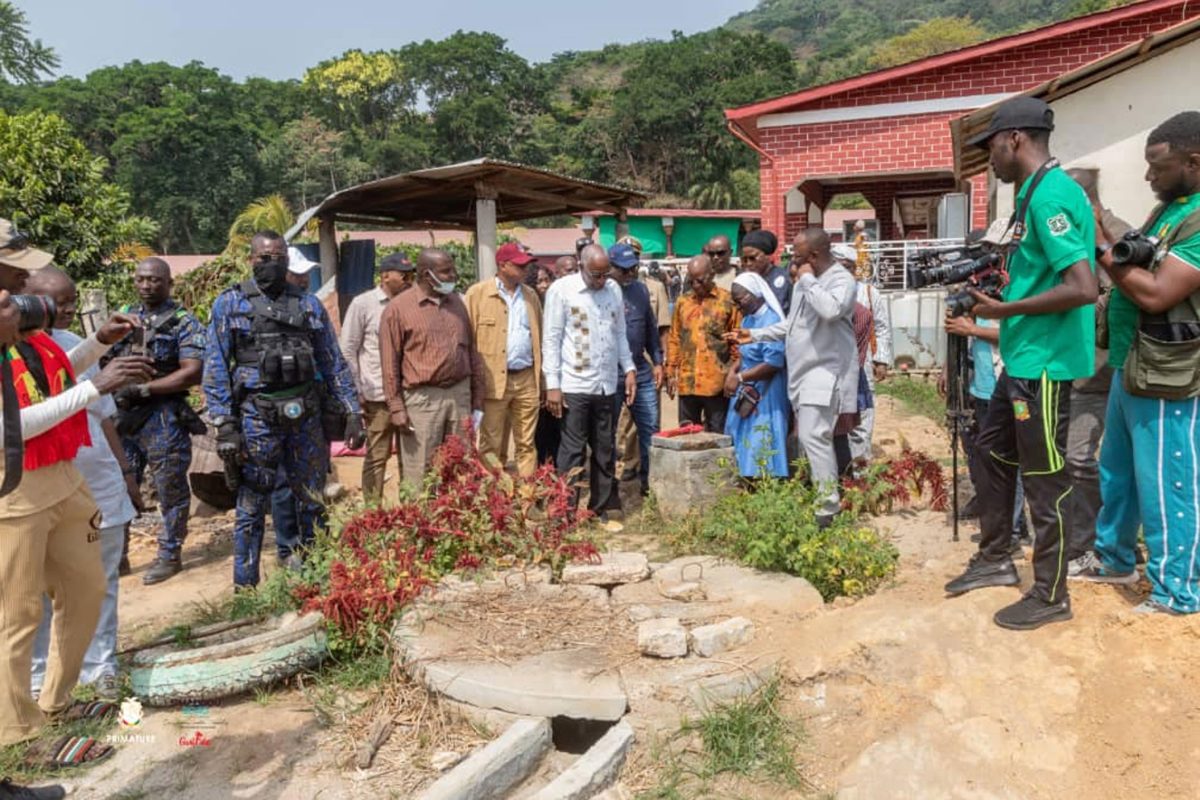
(1149, 458)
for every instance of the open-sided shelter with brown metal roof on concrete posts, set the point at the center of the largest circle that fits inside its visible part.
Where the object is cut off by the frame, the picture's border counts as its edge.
(475, 196)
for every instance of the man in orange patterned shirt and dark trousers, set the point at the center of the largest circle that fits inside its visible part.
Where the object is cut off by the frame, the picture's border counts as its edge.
(698, 358)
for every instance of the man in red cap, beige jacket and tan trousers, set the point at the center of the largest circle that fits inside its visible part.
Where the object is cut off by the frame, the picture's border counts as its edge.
(506, 317)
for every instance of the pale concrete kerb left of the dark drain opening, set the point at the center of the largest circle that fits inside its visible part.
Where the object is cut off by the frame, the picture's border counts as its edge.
(491, 772)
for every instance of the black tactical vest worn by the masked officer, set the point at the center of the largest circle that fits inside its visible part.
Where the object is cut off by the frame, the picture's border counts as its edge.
(279, 344)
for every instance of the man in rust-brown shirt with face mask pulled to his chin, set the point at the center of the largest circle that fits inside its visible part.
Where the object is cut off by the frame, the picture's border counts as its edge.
(433, 374)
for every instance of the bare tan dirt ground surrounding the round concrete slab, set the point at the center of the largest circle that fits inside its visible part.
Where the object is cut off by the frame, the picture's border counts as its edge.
(902, 695)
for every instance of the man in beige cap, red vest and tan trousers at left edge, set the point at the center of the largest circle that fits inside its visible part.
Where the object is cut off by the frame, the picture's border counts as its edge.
(49, 539)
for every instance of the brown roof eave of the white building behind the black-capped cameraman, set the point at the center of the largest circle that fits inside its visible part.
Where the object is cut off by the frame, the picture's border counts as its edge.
(970, 161)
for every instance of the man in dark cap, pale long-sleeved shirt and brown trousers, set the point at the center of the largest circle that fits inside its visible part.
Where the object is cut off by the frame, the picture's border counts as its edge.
(361, 346)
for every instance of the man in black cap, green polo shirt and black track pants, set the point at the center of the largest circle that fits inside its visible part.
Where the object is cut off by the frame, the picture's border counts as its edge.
(1047, 332)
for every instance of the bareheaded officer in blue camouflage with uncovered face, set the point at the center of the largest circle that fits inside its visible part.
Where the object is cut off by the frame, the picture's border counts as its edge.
(154, 419)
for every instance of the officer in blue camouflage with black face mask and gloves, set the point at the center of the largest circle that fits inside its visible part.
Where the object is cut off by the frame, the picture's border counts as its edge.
(278, 390)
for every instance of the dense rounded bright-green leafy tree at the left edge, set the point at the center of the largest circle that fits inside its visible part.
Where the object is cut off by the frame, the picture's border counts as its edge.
(55, 190)
